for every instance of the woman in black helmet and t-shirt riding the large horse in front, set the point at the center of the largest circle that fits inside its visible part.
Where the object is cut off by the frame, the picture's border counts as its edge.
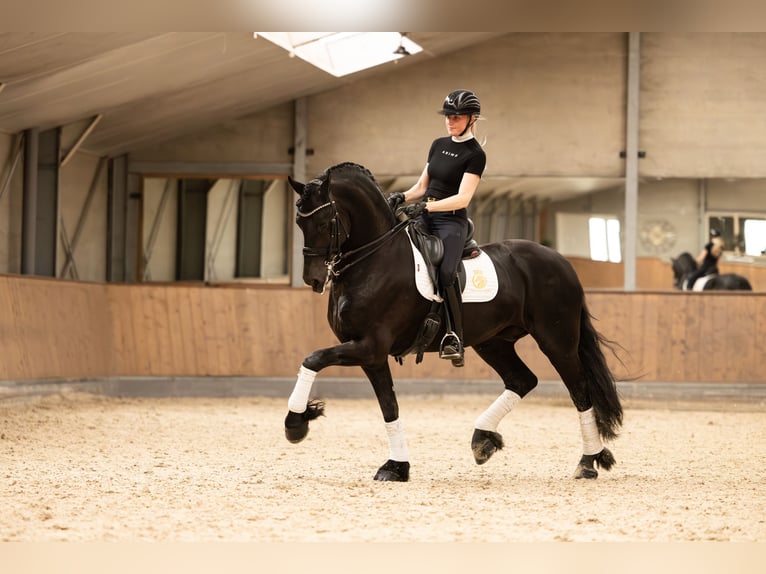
(447, 184)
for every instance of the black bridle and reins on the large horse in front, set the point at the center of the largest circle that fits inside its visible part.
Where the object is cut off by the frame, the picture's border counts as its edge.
(337, 261)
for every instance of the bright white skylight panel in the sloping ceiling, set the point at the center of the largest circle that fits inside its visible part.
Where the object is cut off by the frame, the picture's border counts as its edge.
(343, 53)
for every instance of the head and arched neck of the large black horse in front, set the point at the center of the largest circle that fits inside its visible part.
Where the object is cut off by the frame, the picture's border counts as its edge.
(345, 196)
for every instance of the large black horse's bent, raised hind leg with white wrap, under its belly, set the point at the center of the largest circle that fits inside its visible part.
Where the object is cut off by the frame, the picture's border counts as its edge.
(500, 354)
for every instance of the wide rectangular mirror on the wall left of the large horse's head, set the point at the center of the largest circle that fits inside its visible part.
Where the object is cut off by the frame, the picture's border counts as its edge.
(215, 230)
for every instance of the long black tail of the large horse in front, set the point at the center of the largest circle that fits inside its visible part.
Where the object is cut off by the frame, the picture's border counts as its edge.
(599, 378)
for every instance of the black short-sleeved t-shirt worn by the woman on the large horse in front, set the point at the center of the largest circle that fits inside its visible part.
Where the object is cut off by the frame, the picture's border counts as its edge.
(448, 160)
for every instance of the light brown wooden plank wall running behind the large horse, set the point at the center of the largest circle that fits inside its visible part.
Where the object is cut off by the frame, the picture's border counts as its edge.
(60, 329)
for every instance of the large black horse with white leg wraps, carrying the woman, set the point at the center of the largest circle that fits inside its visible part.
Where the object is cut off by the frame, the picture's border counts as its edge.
(356, 246)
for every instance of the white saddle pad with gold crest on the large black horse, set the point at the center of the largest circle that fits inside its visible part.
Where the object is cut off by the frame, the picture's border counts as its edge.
(480, 284)
